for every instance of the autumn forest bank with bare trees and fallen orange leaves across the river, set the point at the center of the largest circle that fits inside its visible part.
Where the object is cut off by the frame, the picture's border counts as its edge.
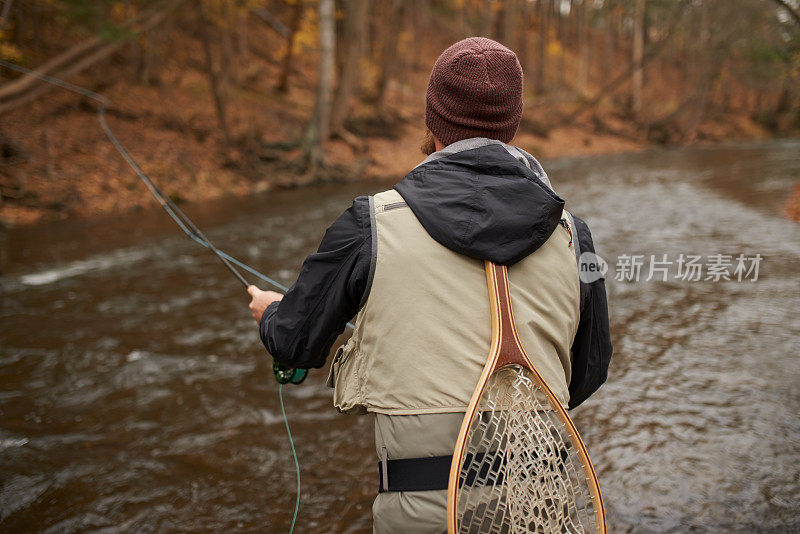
(221, 97)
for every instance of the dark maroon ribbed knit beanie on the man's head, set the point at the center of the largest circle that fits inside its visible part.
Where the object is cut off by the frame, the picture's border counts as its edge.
(475, 90)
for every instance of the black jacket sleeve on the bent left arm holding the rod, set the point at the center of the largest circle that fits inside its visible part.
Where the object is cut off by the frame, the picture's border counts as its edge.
(299, 330)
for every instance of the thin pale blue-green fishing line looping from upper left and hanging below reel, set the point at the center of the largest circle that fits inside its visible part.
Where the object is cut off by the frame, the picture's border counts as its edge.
(183, 222)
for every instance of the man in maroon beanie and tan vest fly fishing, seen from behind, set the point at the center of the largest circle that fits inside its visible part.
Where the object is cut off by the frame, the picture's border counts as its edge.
(408, 264)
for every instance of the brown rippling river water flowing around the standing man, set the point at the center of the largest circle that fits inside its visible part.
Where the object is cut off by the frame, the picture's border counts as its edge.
(135, 394)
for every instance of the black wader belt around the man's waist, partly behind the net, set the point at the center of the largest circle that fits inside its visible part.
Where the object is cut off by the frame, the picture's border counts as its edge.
(429, 473)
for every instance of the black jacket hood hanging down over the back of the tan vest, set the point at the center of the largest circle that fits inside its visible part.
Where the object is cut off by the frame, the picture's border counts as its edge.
(483, 203)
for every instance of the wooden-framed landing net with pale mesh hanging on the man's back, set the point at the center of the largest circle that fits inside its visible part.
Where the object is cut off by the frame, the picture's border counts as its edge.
(519, 463)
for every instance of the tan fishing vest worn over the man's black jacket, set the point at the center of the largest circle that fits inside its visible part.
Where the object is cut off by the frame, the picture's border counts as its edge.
(423, 335)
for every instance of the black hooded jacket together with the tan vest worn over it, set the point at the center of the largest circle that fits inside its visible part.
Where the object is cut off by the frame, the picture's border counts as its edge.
(408, 263)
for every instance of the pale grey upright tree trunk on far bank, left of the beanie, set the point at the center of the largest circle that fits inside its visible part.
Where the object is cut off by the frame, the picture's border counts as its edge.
(319, 125)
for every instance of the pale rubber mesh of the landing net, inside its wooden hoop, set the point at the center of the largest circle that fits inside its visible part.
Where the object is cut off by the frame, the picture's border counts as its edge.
(521, 471)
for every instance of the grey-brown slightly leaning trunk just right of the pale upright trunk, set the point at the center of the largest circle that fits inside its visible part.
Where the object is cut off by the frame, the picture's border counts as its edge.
(355, 17)
